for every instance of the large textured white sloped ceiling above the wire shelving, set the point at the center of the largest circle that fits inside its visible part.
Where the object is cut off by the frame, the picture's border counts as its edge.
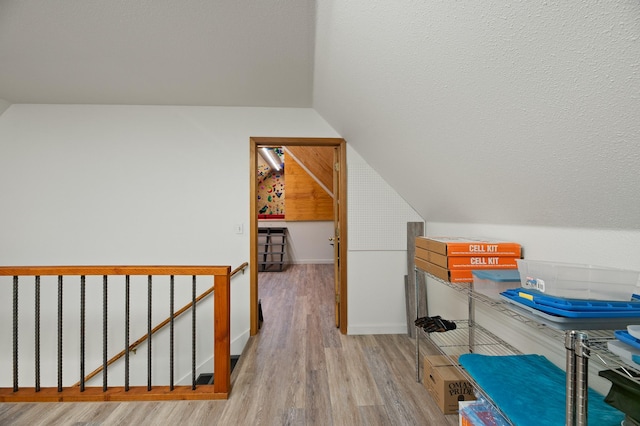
(509, 113)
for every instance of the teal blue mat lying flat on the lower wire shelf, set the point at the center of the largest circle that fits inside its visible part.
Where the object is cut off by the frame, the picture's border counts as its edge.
(531, 391)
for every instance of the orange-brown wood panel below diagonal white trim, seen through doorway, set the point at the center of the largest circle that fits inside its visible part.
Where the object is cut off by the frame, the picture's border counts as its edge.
(305, 199)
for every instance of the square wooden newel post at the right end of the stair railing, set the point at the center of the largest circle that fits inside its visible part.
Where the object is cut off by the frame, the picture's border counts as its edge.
(221, 330)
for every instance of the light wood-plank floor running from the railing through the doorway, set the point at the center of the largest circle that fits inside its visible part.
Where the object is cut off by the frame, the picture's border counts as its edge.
(299, 370)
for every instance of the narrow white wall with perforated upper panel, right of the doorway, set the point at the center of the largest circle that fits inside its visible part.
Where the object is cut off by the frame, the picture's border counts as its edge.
(377, 251)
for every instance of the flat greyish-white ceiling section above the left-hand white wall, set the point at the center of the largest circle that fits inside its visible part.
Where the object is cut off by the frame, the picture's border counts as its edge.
(158, 52)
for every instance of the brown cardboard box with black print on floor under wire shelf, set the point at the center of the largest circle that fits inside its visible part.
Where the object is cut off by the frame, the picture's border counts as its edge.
(445, 383)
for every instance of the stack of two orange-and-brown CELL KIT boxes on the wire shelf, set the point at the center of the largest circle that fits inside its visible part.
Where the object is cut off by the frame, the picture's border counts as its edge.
(453, 258)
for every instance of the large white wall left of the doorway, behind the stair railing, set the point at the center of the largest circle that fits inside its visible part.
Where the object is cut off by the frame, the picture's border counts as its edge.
(131, 185)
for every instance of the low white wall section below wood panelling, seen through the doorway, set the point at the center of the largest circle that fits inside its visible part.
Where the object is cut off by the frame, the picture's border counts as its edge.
(307, 241)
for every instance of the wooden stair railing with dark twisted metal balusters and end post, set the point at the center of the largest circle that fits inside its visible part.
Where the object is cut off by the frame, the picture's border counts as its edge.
(221, 334)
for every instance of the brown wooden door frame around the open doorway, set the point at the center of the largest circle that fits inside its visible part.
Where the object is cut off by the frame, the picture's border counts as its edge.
(339, 217)
